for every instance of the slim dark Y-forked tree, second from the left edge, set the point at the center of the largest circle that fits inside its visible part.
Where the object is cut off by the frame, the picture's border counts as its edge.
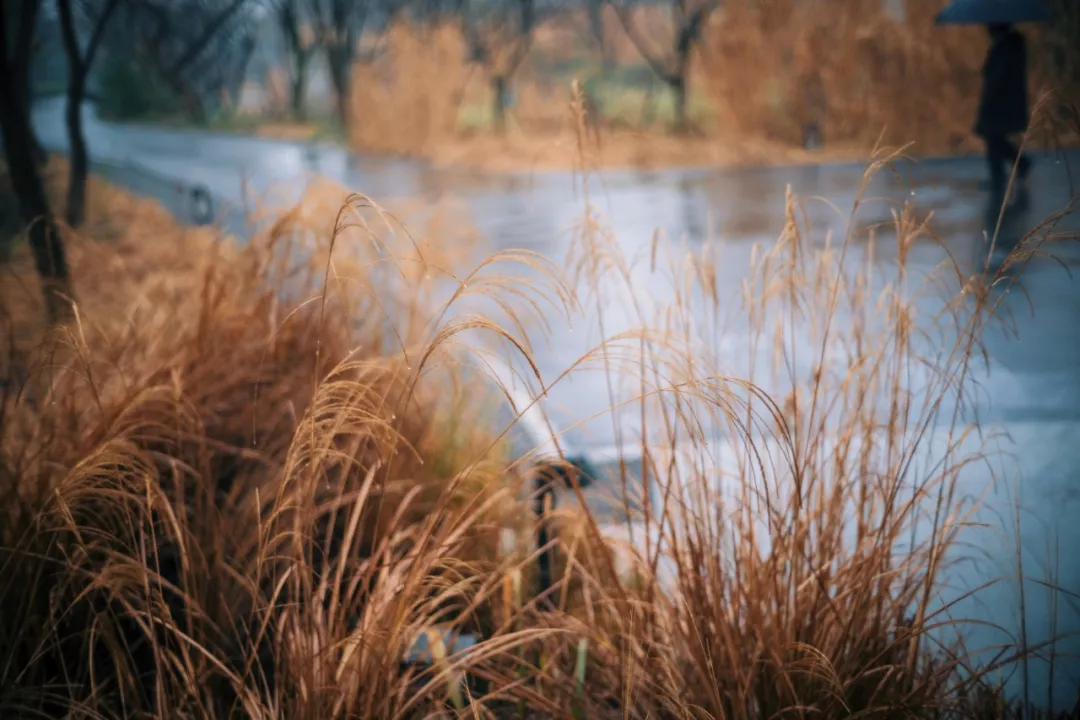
(80, 62)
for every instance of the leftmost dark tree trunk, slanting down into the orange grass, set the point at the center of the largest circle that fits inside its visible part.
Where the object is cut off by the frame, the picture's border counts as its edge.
(18, 23)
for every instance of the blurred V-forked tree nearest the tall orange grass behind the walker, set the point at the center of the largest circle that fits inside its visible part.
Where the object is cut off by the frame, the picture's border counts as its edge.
(672, 66)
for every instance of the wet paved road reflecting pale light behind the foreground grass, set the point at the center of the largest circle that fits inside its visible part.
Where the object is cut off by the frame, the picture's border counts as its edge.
(1031, 388)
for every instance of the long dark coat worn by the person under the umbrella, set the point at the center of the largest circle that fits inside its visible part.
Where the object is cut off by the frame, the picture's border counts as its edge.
(1003, 108)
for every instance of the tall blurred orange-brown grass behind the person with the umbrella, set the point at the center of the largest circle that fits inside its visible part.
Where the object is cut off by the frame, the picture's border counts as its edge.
(771, 69)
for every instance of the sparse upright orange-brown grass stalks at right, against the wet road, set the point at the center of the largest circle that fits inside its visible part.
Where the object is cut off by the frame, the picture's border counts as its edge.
(789, 561)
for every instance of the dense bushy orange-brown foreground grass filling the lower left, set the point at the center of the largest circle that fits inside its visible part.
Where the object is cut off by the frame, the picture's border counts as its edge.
(226, 493)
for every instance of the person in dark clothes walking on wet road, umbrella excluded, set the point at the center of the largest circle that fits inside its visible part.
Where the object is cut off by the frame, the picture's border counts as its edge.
(1003, 106)
